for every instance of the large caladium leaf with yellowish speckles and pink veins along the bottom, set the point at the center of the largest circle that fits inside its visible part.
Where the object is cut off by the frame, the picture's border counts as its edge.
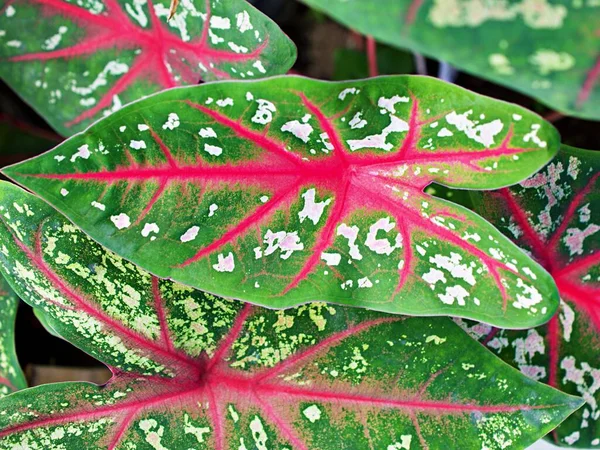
(192, 370)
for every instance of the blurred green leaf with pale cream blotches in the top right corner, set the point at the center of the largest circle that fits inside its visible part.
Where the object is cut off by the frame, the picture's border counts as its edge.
(545, 49)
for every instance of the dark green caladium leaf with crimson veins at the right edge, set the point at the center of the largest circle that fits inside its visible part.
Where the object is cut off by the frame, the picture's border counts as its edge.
(555, 215)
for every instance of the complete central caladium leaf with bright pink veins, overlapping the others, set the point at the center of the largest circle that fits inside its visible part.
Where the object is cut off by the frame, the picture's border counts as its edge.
(291, 190)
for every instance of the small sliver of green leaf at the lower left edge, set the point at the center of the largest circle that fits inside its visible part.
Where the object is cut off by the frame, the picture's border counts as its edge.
(11, 376)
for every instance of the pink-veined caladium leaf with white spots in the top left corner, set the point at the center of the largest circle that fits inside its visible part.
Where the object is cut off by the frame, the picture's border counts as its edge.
(75, 61)
